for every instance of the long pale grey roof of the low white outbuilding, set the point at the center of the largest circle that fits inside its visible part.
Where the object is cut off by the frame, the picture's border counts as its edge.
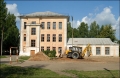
(85, 41)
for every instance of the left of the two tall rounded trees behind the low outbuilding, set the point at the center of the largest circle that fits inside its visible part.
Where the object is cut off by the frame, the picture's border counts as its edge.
(83, 30)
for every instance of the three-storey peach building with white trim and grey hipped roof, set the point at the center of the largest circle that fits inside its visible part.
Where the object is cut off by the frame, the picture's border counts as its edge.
(43, 31)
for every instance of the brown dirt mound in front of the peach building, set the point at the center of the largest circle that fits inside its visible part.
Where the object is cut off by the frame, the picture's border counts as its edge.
(40, 56)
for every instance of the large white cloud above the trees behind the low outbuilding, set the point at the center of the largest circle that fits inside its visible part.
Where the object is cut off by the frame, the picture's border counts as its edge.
(102, 18)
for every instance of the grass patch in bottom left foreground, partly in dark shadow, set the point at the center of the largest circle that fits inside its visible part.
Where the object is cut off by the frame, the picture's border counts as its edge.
(8, 71)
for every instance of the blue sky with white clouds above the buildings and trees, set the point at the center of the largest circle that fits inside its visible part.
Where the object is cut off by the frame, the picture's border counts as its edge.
(103, 12)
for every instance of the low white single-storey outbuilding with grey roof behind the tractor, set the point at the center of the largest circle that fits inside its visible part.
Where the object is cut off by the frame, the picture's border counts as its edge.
(99, 46)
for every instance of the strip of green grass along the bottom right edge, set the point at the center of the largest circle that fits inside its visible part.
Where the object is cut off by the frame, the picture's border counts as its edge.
(95, 74)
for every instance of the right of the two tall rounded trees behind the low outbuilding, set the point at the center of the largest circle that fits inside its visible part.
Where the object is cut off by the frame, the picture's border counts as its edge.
(94, 30)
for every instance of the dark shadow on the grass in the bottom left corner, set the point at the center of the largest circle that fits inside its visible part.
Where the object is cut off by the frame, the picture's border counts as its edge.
(18, 72)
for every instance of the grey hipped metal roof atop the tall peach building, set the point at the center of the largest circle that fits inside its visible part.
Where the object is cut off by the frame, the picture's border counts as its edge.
(47, 13)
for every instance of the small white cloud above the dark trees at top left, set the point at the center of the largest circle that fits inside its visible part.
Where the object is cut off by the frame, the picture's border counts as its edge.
(12, 8)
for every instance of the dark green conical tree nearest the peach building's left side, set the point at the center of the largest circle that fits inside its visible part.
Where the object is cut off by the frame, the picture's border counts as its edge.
(11, 34)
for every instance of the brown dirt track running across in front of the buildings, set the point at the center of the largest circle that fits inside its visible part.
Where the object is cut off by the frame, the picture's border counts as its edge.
(86, 64)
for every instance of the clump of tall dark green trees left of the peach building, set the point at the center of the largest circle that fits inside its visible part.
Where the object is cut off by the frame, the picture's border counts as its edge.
(8, 27)
